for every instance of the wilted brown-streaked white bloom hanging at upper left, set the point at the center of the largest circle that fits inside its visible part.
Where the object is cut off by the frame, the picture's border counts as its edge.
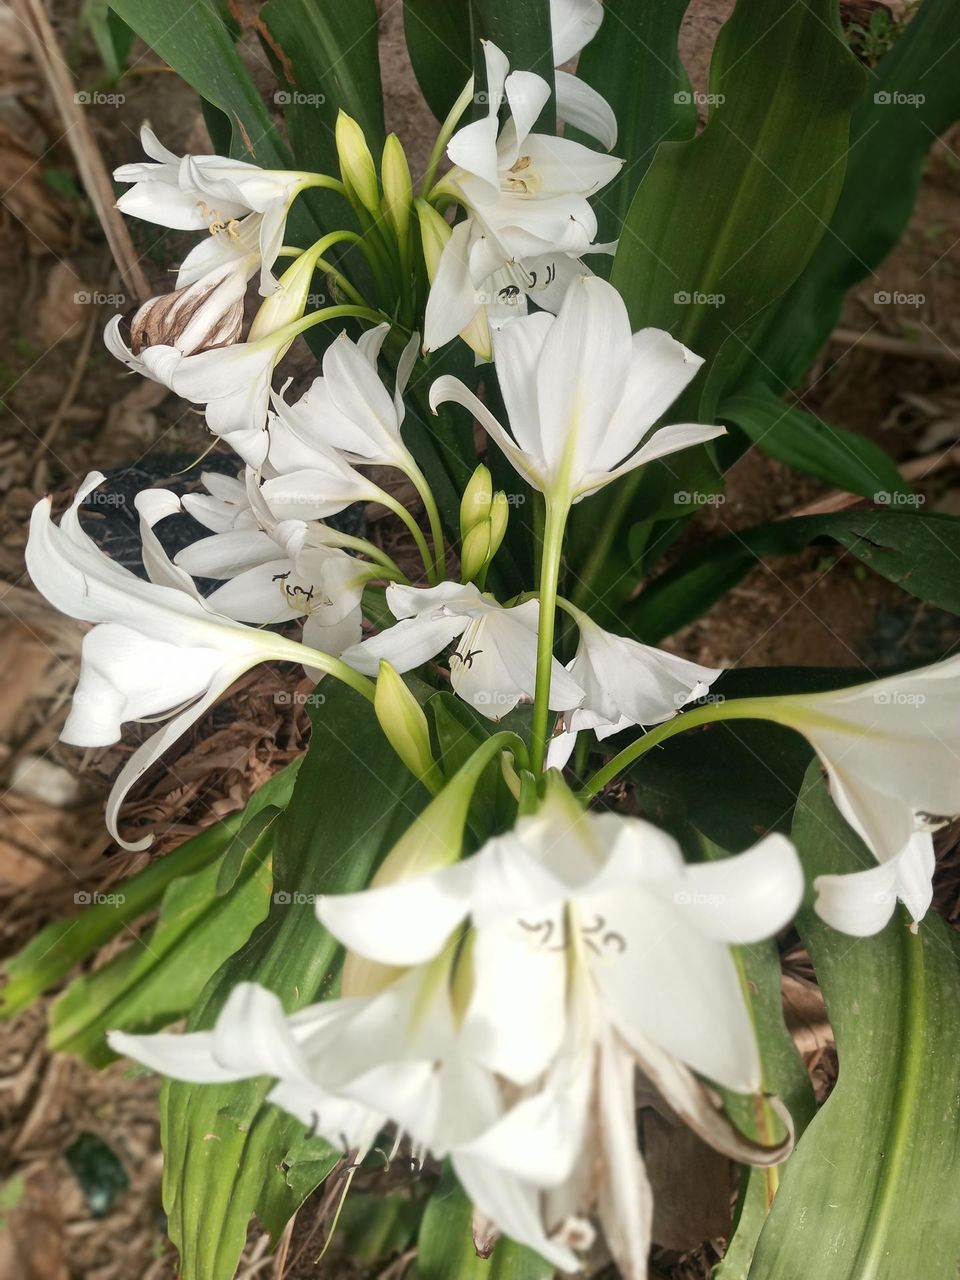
(196, 318)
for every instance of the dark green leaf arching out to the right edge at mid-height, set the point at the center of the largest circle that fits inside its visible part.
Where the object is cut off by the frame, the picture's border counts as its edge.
(920, 554)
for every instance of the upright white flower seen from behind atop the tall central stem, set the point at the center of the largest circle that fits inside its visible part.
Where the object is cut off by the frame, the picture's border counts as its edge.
(583, 394)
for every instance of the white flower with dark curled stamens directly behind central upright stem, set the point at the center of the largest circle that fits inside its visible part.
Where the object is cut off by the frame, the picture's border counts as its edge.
(495, 665)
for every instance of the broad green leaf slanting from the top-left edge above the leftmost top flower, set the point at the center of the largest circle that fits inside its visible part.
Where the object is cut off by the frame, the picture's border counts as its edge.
(196, 42)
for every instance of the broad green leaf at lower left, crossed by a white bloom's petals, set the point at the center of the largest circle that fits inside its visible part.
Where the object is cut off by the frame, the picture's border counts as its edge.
(228, 1155)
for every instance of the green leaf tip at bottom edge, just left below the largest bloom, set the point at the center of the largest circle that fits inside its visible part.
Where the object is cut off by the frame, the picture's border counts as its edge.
(447, 1250)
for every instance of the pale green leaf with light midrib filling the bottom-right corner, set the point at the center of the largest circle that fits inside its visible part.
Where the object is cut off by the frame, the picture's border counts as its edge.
(863, 1195)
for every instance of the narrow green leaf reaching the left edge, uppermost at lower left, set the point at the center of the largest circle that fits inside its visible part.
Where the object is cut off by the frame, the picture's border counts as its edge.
(62, 945)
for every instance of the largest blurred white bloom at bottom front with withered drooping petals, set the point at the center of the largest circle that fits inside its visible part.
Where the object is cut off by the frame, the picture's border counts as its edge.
(592, 949)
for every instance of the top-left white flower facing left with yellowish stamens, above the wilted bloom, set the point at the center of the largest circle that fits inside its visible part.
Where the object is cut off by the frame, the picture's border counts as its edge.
(212, 194)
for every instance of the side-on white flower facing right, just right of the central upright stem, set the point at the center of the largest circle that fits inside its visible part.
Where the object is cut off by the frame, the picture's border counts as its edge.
(625, 684)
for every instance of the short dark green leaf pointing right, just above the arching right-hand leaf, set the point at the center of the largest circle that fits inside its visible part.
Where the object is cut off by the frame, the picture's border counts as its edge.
(808, 445)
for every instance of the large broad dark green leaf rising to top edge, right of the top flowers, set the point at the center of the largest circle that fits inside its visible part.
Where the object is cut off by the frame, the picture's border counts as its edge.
(724, 223)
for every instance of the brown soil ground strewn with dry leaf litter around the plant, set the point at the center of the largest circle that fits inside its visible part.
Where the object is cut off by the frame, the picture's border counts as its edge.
(67, 406)
